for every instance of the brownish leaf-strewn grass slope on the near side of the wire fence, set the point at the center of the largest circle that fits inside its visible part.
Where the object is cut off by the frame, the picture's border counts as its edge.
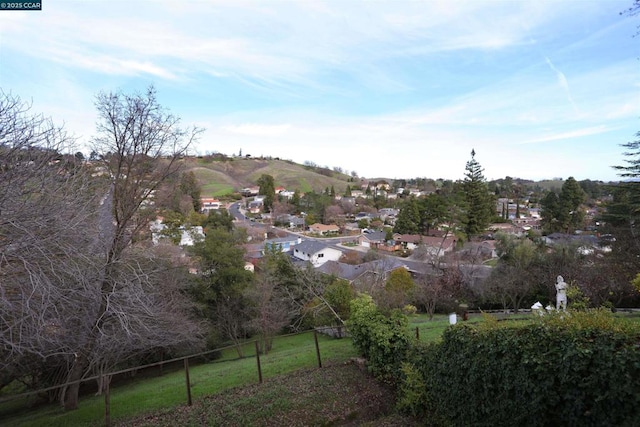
(342, 394)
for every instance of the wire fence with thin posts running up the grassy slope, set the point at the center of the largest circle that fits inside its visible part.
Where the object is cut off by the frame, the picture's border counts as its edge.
(203, 375)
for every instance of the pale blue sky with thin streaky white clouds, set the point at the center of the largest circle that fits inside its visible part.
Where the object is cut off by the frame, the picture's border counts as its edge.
(539, 89)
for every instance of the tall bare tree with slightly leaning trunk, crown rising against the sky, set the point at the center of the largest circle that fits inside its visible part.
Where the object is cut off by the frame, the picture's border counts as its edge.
(140, 145)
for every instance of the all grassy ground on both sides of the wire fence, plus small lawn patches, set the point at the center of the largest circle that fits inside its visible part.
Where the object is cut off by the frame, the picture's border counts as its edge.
(292, 381)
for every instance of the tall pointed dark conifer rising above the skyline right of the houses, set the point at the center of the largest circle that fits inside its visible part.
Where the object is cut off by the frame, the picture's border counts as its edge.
(480, 204)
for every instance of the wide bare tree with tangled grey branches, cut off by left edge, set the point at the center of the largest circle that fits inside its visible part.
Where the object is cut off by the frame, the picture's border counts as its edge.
(46, 202)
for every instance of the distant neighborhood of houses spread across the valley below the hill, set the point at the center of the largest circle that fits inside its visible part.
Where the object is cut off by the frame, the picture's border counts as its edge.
(352, 227)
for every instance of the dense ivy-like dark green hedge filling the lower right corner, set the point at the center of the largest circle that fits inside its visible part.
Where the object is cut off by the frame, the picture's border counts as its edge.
(578, 368)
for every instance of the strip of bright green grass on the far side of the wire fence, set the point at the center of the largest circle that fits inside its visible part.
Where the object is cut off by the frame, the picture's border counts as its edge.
(290, 353)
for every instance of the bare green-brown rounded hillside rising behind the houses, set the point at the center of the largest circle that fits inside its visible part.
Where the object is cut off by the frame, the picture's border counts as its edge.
(219, 177)
